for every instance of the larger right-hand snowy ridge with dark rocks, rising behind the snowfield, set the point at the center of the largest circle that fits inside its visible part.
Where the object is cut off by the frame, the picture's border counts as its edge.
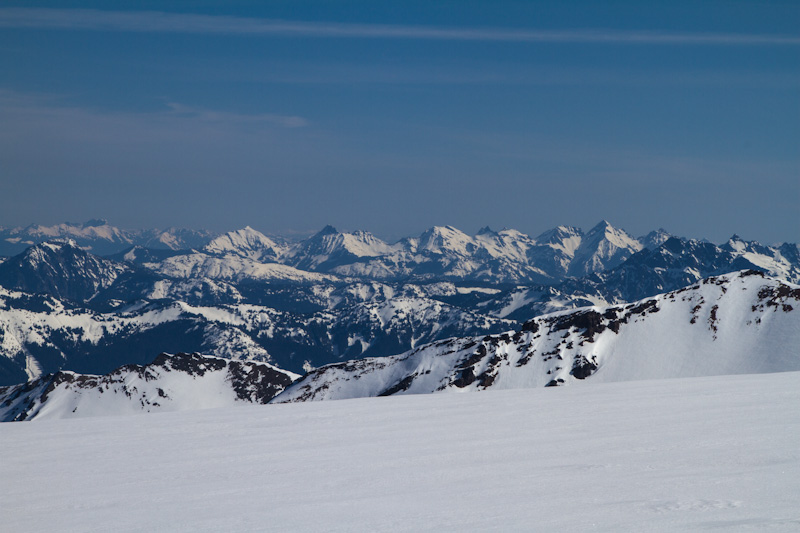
(734, 324)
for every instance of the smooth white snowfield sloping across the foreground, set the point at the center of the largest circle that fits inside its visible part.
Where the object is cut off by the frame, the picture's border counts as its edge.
(671, 455)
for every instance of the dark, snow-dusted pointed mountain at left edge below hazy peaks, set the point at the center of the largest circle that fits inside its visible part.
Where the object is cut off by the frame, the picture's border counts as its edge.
(62, 269)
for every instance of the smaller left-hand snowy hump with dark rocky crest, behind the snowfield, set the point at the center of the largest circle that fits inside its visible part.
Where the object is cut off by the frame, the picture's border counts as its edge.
(170, 383)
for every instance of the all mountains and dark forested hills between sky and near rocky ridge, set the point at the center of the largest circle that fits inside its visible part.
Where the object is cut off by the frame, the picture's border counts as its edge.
(330, 298)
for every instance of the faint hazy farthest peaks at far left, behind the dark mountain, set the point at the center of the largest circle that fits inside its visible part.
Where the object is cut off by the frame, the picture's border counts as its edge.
(100, 238)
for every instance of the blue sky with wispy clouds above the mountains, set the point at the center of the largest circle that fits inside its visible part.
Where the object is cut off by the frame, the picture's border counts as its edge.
(396, 116)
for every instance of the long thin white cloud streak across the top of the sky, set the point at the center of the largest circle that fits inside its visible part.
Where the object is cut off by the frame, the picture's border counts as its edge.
(153, 21)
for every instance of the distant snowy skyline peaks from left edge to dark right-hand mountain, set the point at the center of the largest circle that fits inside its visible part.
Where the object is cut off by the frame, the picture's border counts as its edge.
(441, 251)
